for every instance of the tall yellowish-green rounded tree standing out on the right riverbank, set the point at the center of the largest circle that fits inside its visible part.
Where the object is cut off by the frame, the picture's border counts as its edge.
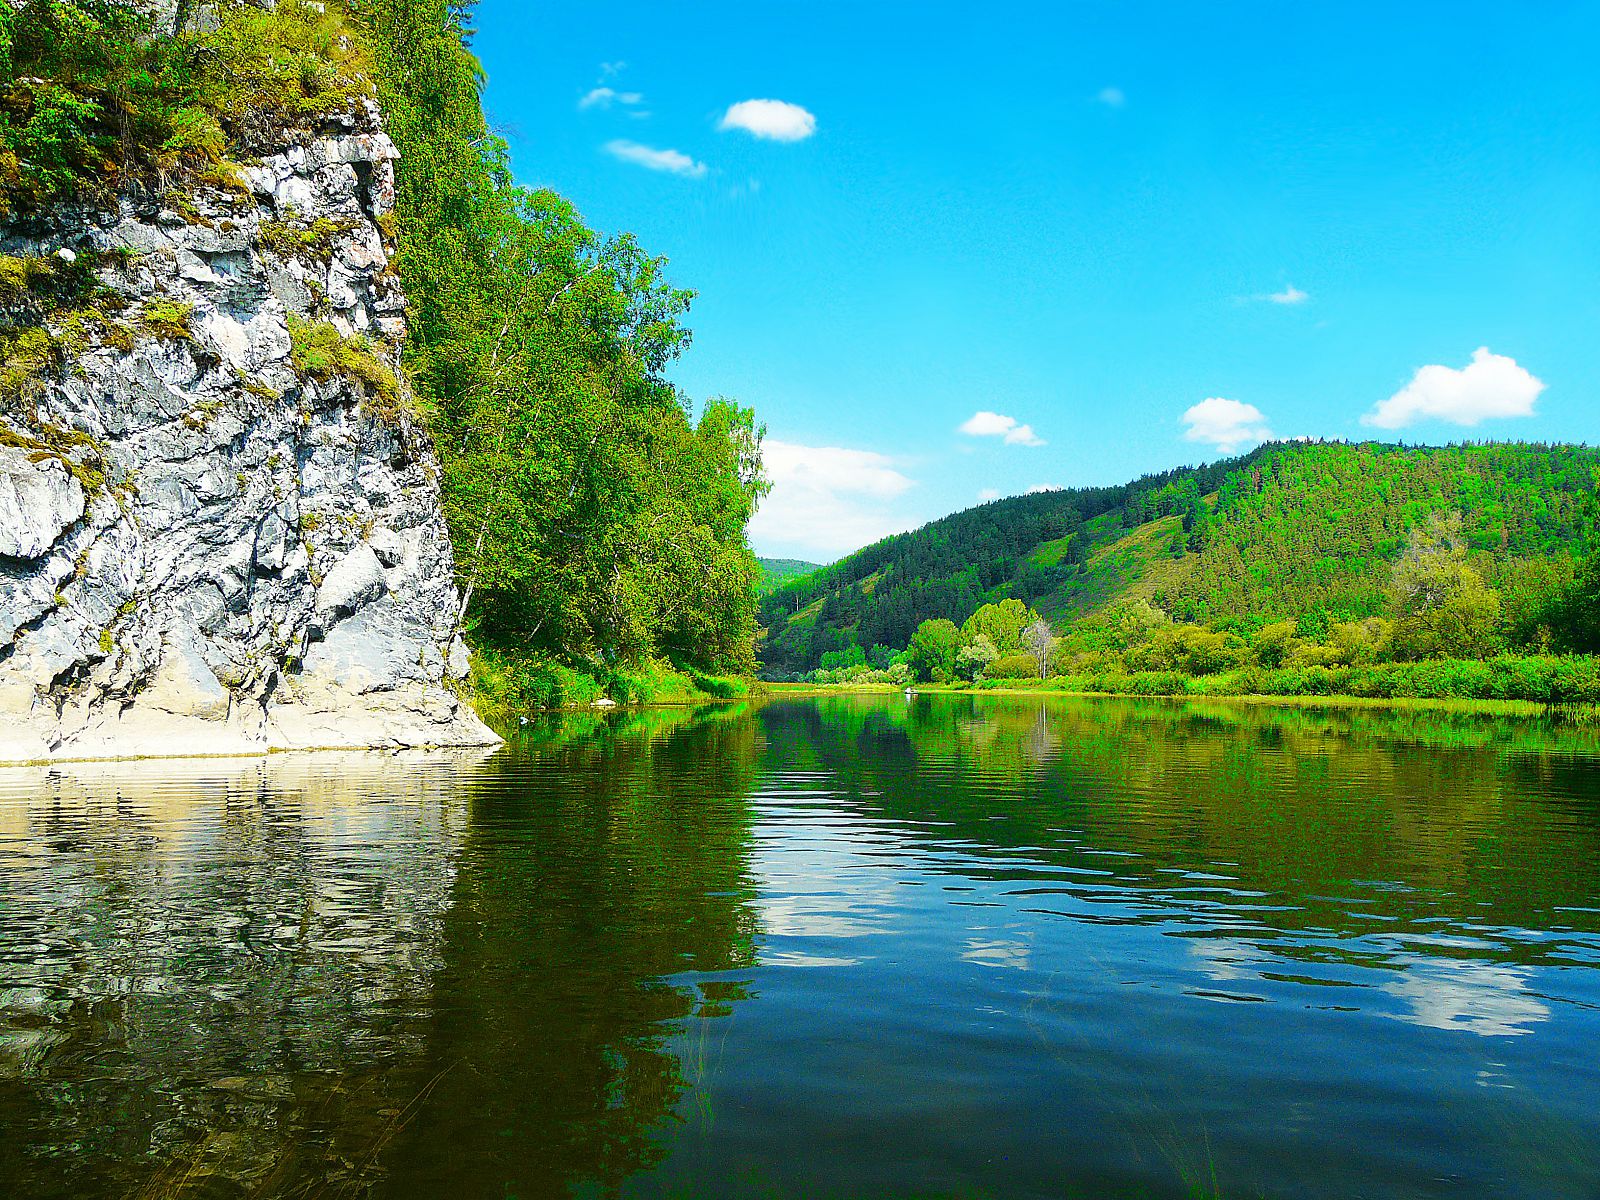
(1441, 606)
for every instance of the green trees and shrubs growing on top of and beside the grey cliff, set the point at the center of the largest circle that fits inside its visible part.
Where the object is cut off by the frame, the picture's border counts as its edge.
(598, 514)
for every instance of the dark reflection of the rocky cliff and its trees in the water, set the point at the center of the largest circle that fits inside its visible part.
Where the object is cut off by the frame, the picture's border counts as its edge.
(364, 975)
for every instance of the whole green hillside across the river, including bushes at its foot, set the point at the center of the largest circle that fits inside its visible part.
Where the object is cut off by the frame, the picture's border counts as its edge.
(1297, 554)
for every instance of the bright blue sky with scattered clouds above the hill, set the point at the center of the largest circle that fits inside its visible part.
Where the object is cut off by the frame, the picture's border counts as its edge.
(1068, 228)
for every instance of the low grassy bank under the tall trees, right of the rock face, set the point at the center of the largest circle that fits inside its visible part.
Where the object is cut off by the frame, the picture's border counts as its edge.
(505, 687)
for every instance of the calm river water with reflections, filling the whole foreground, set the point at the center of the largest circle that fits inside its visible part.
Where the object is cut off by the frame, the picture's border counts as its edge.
(868, 946)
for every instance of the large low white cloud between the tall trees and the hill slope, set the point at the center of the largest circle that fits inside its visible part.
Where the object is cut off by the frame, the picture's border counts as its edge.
(828, 502)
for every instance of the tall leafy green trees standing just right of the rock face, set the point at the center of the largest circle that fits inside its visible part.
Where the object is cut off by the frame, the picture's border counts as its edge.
(594, 516)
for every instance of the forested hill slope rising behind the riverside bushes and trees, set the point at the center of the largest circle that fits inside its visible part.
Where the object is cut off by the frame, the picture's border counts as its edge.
(1305, 532)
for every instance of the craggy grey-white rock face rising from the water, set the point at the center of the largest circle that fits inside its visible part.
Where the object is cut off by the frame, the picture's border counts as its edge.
(218, 542)
